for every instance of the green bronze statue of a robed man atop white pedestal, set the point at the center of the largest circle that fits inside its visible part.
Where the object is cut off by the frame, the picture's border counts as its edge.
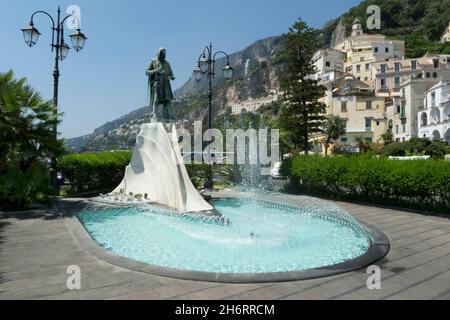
(159, 75)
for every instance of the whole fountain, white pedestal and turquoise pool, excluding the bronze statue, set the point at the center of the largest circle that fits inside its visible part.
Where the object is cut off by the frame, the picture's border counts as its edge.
(157, 222)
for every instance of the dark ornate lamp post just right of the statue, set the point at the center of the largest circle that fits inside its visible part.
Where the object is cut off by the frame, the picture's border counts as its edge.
(206, 66)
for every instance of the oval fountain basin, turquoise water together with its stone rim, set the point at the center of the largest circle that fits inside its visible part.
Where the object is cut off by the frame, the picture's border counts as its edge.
(265, 241)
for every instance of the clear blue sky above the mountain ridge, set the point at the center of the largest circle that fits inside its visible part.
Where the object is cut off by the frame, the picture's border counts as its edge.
(107, 79)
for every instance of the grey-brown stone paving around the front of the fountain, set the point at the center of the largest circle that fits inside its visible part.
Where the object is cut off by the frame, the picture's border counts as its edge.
(36, 249)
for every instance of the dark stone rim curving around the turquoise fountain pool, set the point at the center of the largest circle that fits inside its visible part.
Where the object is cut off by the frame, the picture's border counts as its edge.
(378, 250)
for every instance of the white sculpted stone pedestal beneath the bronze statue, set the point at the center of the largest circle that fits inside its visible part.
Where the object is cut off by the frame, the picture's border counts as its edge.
(157, 171)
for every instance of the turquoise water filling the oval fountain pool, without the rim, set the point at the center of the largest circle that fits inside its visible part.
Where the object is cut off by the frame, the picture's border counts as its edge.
(261, 237)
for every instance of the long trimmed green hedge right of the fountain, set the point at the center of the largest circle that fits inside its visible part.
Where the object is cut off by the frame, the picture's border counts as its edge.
(416, 184)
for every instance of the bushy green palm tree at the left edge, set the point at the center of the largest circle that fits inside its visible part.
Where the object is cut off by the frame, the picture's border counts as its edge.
(27, 139)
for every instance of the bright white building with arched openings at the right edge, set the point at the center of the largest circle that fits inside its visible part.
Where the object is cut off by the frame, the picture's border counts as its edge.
(434, 120)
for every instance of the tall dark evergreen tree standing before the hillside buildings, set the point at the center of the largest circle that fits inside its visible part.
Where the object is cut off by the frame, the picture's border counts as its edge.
(302, 114)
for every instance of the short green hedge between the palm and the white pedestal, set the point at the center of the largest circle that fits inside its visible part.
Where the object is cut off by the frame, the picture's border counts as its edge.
(94, 172)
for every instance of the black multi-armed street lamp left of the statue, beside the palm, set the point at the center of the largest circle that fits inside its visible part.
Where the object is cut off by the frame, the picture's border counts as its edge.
(61, 49)
